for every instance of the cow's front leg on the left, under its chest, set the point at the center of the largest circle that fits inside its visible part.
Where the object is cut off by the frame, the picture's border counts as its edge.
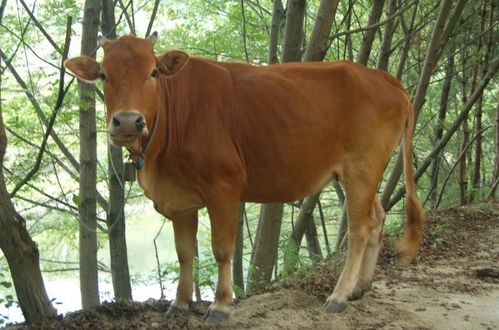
(184, 229)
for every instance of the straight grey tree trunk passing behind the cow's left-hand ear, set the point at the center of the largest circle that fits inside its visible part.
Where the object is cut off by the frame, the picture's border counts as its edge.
(88, 165)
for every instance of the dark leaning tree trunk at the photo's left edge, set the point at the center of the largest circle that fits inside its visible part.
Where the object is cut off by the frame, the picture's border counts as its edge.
(16, 244)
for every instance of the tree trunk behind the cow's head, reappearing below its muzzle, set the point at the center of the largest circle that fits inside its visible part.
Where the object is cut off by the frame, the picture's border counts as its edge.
(116, 212)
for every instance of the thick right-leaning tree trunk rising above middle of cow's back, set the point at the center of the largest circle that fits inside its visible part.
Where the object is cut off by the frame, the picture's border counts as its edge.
(316, 48)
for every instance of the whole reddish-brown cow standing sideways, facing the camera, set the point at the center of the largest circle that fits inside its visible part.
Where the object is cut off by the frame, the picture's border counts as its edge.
(212, 134)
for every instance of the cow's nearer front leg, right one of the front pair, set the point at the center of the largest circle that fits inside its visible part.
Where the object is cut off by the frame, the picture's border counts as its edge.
(223, 218)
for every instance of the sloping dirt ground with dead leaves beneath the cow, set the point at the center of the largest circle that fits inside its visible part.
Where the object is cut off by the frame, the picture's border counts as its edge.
(452, 284)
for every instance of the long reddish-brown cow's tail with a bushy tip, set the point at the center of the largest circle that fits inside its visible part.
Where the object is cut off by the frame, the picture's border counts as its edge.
(415, 218)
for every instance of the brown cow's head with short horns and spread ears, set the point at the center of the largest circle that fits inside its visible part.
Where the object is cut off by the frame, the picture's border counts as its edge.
(130, 72)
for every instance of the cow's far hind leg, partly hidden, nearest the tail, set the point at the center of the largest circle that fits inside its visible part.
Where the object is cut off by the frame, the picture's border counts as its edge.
(371, 254)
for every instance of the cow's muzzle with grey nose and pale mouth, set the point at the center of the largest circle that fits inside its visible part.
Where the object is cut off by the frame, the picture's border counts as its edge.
(125, 127)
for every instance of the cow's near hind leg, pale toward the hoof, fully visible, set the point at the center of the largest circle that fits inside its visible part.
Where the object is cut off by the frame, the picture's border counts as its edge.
(360, 192)
